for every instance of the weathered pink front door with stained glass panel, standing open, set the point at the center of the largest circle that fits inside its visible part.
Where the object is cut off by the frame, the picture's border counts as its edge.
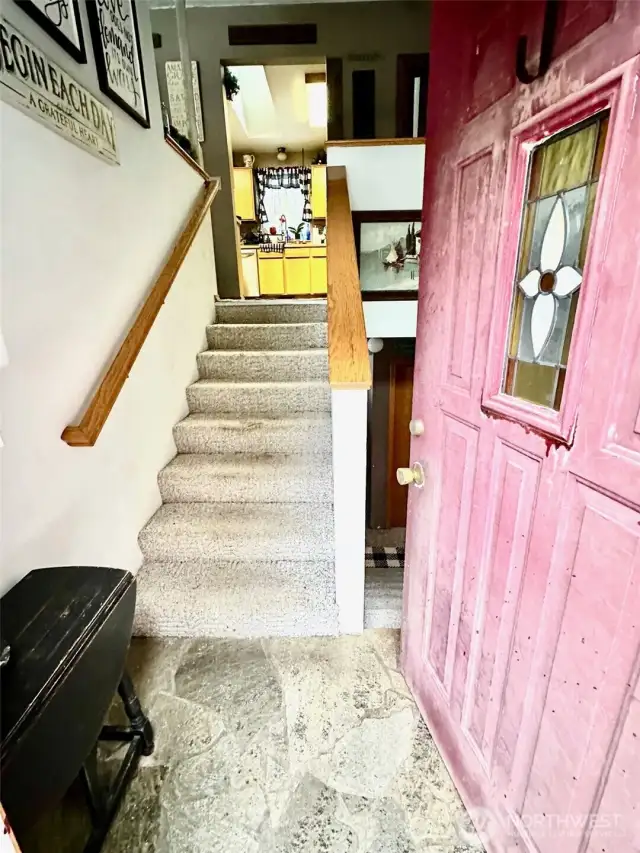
(521, 636)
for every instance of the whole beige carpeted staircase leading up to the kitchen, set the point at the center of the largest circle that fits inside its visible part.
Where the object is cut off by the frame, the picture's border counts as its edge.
(243, 544)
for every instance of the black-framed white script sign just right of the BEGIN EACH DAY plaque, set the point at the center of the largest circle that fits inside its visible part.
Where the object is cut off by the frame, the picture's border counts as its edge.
(116, 45)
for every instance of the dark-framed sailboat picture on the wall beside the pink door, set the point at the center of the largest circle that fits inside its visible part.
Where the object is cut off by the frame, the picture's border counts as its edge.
(388, 249)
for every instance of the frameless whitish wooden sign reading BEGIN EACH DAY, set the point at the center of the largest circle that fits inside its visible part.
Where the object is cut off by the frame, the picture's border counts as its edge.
(38, 86)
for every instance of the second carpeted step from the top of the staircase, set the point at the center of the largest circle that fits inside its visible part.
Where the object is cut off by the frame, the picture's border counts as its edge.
(265, 336)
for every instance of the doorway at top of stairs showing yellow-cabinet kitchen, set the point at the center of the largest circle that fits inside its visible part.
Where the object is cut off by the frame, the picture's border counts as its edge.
(276, 124)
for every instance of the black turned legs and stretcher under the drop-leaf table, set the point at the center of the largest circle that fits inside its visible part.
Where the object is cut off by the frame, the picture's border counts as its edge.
(103, 801)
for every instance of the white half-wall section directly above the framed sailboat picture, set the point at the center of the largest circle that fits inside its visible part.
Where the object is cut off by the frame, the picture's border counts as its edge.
(381, 177)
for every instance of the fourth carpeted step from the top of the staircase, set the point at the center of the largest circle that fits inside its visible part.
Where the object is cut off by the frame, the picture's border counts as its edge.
(262, 398)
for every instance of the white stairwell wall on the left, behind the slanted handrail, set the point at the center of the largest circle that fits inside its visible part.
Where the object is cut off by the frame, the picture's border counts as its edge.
(81, 244)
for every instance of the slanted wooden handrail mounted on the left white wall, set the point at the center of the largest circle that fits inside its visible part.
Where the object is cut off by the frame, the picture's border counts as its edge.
(85, 434)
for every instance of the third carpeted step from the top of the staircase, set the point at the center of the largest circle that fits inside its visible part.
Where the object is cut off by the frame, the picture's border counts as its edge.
(264, 366)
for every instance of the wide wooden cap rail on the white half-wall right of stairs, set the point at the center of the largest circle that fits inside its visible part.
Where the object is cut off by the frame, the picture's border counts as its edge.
(348, 354)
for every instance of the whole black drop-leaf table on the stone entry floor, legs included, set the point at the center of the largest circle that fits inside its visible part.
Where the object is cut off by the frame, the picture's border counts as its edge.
(68, 630)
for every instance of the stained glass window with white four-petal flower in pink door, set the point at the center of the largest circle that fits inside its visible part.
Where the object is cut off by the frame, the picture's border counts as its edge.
(561, 193)
